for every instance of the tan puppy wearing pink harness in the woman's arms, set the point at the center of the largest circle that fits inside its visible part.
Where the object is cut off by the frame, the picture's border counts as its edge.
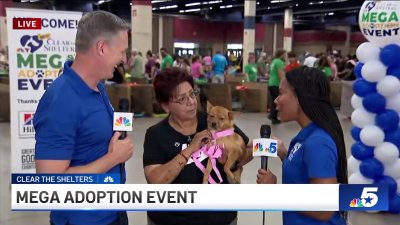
(220, 119)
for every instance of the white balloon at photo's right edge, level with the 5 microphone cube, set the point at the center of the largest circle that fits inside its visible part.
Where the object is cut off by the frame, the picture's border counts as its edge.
(387, 153)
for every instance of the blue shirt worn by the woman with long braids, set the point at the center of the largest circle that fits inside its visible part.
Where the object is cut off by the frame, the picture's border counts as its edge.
(312, 154)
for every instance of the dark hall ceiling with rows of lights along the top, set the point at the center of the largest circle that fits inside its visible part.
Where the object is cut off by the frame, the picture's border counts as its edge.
(306, 13)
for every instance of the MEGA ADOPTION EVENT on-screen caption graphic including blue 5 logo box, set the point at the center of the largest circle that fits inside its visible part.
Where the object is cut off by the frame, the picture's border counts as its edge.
(102, 192)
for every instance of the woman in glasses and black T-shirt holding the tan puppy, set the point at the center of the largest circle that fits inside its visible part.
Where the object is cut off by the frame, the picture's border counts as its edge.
(169, 145)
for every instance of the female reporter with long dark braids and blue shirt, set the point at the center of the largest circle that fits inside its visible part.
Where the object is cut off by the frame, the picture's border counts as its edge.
(317, 154)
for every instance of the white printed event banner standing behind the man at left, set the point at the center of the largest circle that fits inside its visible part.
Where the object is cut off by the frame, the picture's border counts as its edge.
(35, 57)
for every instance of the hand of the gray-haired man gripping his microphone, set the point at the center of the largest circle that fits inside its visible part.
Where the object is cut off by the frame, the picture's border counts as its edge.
(121, 150)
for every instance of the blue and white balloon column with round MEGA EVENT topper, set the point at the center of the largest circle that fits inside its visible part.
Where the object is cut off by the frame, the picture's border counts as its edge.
(376, 101)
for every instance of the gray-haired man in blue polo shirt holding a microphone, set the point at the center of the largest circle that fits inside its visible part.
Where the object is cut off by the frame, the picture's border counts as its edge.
(74, 118)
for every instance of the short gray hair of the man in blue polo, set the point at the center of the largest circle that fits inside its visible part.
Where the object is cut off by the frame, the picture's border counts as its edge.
(97, 24)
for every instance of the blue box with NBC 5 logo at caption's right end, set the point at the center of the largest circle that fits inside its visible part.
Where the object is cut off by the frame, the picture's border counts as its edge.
(363, 197)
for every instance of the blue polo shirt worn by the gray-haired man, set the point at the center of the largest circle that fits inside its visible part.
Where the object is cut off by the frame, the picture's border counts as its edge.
(74, 122)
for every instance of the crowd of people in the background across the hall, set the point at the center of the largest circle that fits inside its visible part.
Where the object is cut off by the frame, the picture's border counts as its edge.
(215, 68)
